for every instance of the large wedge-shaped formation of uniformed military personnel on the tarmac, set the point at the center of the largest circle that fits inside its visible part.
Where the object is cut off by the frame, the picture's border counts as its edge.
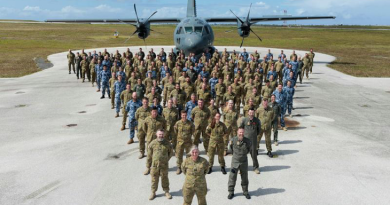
(176, 102)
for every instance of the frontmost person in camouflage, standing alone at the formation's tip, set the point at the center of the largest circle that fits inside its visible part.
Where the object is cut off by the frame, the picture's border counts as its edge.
(195, 169)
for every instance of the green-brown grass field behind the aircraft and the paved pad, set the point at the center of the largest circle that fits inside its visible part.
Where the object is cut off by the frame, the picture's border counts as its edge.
(363, 53)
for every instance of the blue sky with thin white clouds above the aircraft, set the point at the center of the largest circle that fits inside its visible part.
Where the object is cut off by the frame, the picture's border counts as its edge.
(347, 12)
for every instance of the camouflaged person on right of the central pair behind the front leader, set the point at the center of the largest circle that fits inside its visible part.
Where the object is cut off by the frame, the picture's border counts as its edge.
(217, 131)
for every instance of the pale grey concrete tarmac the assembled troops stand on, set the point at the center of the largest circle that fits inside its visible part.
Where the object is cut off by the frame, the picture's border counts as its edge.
(60, 144)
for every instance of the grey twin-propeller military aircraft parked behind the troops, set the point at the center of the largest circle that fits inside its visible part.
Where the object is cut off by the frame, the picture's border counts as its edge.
(194, 34)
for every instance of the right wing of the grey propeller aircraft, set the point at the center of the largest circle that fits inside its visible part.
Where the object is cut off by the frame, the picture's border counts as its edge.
(268, 18)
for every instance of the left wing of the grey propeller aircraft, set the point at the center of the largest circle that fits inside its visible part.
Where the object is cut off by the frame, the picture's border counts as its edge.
(153, 20)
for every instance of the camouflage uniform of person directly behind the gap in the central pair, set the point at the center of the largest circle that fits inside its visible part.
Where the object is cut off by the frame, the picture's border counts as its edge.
(200, 117)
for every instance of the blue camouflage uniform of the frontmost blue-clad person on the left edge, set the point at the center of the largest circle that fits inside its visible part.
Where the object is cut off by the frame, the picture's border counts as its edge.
(131, 110)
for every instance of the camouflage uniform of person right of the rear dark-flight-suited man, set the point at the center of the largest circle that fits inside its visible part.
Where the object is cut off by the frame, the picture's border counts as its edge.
(266, 116)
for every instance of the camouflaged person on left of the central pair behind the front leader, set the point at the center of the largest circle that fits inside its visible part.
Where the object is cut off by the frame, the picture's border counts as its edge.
(184, 129)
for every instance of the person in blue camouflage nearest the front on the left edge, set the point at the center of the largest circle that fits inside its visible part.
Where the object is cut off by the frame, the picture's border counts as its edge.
(131, 110)
